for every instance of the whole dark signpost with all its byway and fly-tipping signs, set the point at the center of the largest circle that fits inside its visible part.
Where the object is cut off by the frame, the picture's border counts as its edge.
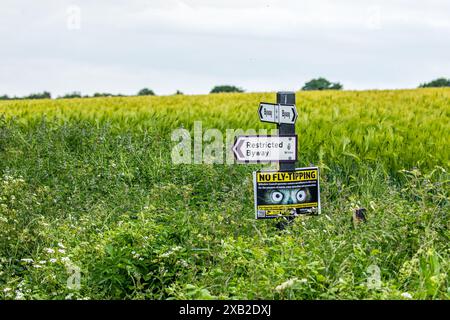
(290, 191)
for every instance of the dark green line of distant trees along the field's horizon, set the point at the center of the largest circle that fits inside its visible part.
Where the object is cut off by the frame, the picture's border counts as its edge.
(314, 84)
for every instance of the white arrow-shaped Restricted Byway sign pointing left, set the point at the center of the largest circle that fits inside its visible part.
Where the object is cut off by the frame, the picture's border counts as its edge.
(258, 149)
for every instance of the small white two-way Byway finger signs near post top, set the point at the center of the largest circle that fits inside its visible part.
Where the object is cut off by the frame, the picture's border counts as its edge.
(277, 113)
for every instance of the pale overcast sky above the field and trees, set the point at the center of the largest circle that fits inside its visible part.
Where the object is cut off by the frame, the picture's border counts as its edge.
(191, 45)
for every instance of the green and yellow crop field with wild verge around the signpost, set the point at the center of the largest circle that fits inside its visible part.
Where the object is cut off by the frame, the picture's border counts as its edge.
(92, 206)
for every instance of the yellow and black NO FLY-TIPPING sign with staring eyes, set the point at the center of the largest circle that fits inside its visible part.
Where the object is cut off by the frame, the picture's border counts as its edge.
(286, 193)
